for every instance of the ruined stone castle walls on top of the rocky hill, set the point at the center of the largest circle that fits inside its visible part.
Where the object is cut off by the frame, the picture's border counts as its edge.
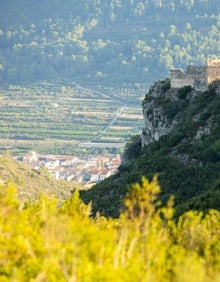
(199, 77)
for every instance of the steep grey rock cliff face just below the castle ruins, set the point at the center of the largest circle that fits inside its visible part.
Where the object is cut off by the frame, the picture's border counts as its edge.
(160, 107)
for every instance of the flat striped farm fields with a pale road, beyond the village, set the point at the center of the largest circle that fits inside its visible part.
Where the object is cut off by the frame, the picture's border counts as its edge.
(60, 117)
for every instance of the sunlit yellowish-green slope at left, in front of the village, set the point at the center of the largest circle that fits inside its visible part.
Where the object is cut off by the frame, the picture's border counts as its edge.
(30, 183)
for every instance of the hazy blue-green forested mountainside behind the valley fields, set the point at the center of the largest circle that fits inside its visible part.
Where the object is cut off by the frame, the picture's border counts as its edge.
(104, 41)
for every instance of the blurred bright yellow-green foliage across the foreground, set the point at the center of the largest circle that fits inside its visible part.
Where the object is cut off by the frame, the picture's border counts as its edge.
(43, 242)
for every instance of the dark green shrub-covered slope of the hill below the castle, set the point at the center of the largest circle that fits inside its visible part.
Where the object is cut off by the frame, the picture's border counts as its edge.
(188, 167)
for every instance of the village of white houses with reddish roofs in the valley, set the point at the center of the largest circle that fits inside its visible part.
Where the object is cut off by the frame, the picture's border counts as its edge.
(70, 168)
